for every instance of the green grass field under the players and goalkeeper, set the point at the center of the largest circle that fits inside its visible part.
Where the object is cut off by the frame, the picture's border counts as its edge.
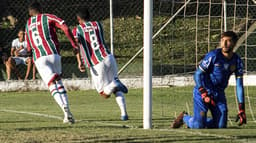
(34, 117)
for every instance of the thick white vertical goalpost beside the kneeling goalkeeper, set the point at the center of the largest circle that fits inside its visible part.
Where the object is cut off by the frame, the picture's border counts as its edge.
(147, 66)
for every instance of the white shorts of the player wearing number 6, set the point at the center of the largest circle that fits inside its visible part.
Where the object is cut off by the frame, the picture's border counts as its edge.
(48, 67)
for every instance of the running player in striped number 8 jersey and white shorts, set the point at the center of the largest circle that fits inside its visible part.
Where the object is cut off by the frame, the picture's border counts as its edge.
(100, 61)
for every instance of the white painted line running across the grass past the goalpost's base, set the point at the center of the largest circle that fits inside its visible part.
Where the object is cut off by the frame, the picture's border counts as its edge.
(188, 131)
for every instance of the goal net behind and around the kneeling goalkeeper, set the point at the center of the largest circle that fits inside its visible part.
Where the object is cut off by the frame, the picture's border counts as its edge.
(193, 32)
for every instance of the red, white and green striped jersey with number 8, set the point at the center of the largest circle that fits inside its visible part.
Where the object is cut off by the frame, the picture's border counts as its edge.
(93, 48)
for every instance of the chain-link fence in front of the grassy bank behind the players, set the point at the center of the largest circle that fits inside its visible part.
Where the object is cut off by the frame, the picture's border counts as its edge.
(177, 48)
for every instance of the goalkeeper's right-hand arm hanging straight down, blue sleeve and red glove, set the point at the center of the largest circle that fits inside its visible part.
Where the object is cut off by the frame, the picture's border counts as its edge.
(241, 117)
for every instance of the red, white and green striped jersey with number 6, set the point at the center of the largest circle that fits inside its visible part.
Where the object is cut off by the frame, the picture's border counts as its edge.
(41, 35)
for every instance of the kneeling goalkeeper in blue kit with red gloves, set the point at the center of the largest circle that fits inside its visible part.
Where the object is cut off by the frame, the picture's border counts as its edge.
(211, 80)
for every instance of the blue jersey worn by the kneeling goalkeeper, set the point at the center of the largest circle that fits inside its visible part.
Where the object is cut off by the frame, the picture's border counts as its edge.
(217, 70)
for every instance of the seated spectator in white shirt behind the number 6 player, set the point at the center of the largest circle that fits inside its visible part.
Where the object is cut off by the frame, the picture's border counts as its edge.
(19, 56)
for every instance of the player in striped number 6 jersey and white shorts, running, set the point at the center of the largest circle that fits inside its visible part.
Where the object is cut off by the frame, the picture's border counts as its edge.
(42, 40)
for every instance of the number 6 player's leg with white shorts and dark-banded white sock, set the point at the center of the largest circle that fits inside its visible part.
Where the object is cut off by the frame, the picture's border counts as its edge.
(49, 68)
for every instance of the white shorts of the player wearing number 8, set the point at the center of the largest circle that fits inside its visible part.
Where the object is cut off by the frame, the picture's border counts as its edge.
(104, 73)
